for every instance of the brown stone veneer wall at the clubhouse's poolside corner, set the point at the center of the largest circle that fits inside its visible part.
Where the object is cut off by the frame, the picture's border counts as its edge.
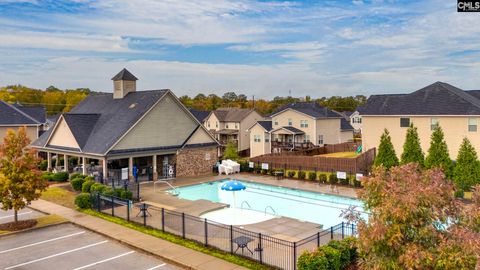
(197, 161)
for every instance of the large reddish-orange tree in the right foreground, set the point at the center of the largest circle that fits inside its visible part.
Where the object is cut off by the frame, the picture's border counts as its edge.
(416, 222)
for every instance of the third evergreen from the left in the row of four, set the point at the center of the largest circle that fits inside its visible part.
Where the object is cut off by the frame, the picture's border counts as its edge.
(438, 153)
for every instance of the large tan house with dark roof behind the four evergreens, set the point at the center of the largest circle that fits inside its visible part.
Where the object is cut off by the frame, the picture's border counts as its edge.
(455, 110)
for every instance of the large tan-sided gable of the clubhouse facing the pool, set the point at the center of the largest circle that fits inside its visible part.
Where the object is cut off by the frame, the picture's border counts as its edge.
(166, 124)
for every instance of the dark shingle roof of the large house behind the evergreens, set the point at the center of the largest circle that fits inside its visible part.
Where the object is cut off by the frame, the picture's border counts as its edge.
(436, 99)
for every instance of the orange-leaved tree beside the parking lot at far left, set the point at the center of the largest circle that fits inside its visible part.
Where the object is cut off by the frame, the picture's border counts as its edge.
(20, 178)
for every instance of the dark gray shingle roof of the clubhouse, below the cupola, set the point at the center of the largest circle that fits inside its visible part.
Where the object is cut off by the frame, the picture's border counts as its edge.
(115, 117)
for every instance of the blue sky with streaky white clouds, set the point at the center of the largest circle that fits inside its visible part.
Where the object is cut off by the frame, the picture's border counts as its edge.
(262, 48)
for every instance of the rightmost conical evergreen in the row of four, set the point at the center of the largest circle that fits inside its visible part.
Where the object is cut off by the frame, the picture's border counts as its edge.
(467, 170)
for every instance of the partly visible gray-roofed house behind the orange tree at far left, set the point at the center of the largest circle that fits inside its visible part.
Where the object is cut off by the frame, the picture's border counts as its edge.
(14, 116)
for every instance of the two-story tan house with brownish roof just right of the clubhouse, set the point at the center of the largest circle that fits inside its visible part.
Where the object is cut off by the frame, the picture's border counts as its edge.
(231, 124)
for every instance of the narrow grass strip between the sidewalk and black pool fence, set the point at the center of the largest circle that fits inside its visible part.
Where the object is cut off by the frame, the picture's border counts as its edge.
(180, 241)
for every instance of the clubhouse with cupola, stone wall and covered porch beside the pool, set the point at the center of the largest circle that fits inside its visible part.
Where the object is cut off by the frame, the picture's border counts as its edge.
(151, 130)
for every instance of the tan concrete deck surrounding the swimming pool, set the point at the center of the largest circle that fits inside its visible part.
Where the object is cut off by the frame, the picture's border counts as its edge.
(282, 227)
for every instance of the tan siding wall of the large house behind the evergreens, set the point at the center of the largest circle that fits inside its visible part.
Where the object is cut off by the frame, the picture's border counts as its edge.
(455, 129)
